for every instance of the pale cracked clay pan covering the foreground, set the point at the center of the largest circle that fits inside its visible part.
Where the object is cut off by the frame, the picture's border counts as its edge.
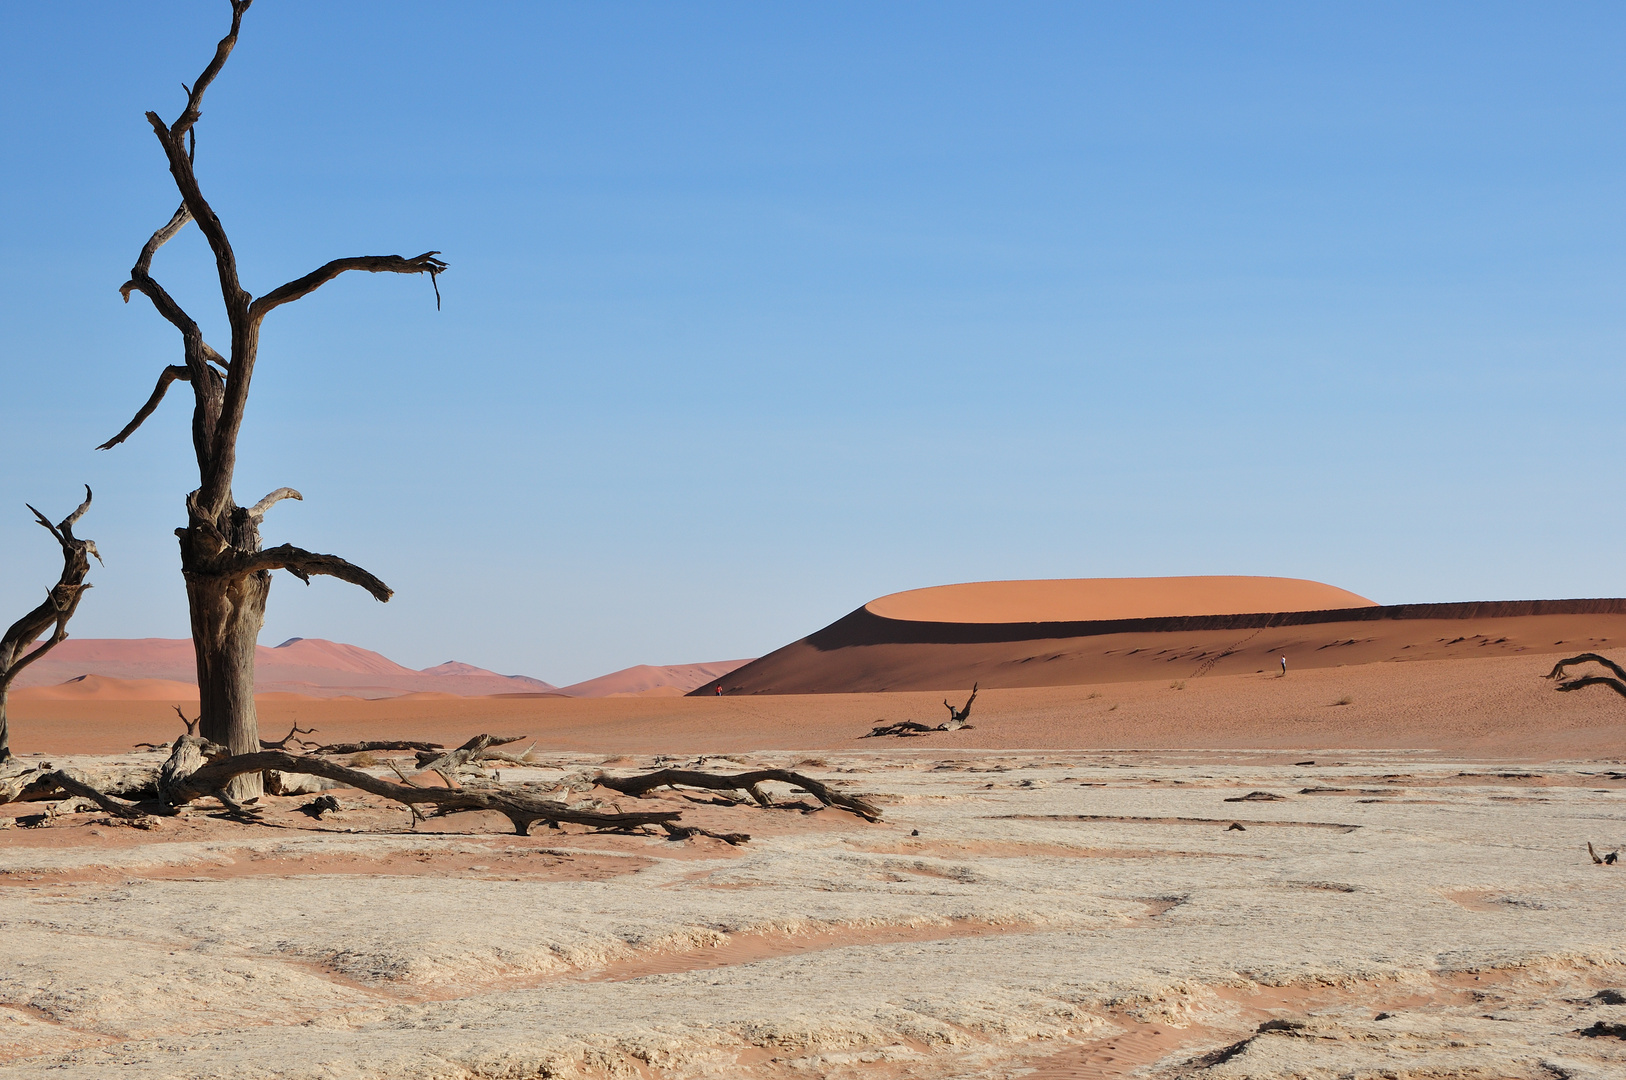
(1017, 915)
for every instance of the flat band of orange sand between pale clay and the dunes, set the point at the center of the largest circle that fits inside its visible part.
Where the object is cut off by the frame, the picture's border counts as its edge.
(1495, 708)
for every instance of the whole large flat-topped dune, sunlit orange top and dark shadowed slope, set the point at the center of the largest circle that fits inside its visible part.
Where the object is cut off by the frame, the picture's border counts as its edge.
(874, 650)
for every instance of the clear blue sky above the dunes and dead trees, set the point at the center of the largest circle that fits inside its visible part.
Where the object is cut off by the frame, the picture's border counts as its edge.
(760, 311)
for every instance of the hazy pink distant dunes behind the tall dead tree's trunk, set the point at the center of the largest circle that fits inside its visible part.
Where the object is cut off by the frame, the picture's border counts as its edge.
(303, 666)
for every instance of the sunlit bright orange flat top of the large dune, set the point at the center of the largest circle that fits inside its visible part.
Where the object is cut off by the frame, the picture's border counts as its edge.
(1095, 599)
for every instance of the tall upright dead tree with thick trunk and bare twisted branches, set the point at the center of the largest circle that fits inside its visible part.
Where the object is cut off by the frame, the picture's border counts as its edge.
(228, 573)
